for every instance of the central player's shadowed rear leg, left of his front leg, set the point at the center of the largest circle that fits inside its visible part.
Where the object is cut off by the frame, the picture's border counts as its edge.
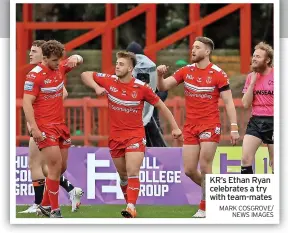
(120, 164)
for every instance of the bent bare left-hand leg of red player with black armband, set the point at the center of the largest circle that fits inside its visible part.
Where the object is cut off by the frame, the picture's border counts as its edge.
(190, 156)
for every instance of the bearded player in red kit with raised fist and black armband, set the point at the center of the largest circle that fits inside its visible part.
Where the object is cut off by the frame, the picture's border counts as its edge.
(204, 83)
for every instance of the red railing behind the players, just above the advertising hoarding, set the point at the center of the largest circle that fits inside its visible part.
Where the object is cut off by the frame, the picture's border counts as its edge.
(89, 124)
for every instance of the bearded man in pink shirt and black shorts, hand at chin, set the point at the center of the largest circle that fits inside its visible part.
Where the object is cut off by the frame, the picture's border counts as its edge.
(259, 93)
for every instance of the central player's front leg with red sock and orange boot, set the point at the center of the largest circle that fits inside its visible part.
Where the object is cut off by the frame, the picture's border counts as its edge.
(133, 163)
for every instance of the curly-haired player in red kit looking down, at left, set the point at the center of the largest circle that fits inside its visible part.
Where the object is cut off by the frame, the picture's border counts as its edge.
(44, 111)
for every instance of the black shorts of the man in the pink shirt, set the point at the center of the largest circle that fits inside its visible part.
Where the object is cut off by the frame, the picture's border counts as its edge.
(261, 127)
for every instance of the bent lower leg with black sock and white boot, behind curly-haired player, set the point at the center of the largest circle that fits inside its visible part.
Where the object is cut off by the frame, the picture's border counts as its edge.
(75, 193)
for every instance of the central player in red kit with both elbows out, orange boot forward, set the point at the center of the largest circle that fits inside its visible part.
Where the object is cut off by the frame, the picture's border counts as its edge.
(126, 96)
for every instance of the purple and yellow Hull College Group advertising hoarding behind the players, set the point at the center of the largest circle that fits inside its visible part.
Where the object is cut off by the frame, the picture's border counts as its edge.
(162, 176)
